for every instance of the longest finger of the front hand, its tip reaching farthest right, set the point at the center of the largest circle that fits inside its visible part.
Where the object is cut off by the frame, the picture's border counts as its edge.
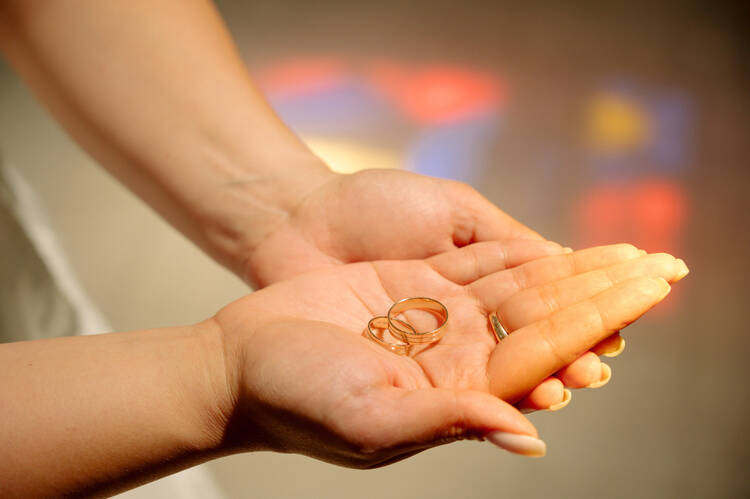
(532, 304)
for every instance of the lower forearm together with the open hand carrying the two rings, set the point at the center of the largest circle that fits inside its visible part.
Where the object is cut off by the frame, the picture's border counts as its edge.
(287, 369)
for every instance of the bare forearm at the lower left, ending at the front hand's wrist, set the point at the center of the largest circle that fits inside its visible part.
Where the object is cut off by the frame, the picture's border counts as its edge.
(93, 414)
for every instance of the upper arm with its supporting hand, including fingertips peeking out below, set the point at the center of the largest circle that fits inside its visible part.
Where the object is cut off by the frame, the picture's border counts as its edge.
(194, 138)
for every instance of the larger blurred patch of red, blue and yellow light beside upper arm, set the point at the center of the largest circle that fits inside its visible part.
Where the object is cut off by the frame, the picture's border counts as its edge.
(456, 108)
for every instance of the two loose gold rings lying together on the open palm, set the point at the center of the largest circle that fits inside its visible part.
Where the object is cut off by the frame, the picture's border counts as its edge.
(404, 331)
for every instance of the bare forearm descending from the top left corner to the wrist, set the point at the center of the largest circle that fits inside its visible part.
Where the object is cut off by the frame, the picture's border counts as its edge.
(157, 93)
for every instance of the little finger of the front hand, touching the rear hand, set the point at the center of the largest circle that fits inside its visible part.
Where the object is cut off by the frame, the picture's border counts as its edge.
(467, 264)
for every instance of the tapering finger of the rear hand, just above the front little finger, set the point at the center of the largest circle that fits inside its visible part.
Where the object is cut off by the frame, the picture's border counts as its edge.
(486, 221)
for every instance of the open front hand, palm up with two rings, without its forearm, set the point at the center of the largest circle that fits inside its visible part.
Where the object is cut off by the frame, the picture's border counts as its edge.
(304, 380)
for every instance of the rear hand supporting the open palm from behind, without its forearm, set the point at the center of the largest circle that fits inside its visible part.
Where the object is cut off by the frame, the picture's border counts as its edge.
(378, 215)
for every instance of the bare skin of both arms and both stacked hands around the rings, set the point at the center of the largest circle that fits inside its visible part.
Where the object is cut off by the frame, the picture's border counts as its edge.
(286, 368)
